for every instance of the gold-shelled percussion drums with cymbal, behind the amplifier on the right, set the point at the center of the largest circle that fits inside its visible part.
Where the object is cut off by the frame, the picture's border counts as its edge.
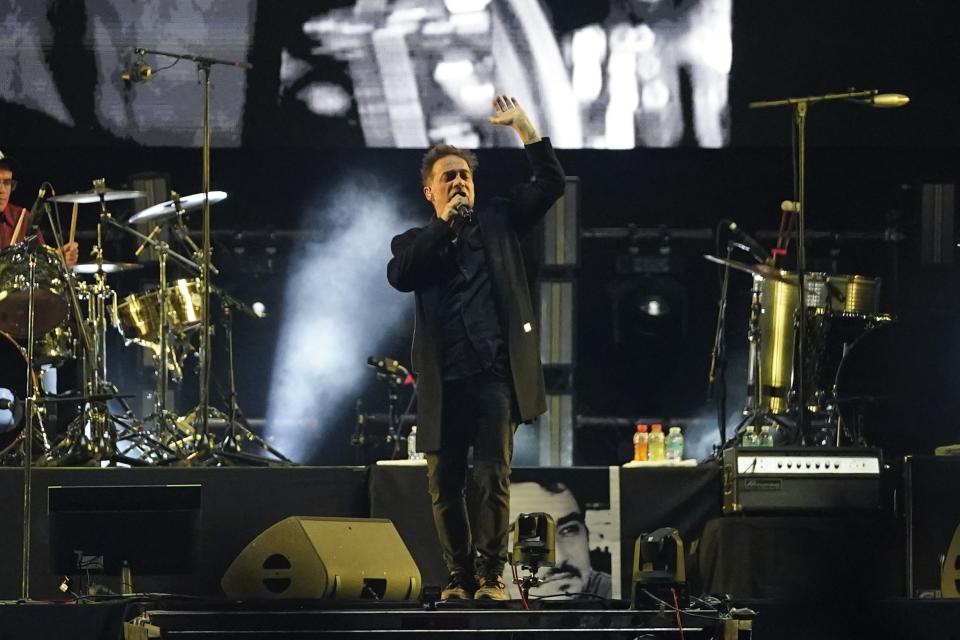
(840, 310)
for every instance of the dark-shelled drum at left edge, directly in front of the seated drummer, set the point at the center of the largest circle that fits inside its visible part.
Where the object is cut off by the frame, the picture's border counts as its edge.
(50, 293)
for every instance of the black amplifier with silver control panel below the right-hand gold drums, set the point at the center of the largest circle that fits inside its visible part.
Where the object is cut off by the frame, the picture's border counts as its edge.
(800, 479)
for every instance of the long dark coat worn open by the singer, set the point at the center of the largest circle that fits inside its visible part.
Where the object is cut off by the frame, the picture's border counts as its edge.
(415, 266)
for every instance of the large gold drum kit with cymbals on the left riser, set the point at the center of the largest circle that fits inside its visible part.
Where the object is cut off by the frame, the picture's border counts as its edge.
(52, 315)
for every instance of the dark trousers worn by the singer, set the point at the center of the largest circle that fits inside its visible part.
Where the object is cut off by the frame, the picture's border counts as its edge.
(476, 412)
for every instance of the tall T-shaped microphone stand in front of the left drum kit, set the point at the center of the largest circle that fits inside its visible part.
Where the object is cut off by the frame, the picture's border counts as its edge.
(204, 65)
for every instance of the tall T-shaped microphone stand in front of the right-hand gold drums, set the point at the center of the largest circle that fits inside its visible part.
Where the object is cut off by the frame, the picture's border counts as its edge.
(800, 106)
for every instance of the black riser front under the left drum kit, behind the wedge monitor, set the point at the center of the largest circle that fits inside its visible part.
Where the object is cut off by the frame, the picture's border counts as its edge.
(238, 504)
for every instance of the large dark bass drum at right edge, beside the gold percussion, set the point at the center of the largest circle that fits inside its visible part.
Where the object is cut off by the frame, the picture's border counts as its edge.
(898, 386)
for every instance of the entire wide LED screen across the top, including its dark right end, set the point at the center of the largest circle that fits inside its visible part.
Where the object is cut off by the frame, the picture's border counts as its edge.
(596, 74)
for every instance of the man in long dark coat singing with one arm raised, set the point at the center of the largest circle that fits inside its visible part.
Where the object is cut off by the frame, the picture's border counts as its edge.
(478, 368)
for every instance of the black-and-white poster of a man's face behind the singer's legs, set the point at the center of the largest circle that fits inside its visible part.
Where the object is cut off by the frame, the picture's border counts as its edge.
(587, 530)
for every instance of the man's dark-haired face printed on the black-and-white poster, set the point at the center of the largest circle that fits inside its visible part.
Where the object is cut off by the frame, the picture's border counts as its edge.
(572, 568)
